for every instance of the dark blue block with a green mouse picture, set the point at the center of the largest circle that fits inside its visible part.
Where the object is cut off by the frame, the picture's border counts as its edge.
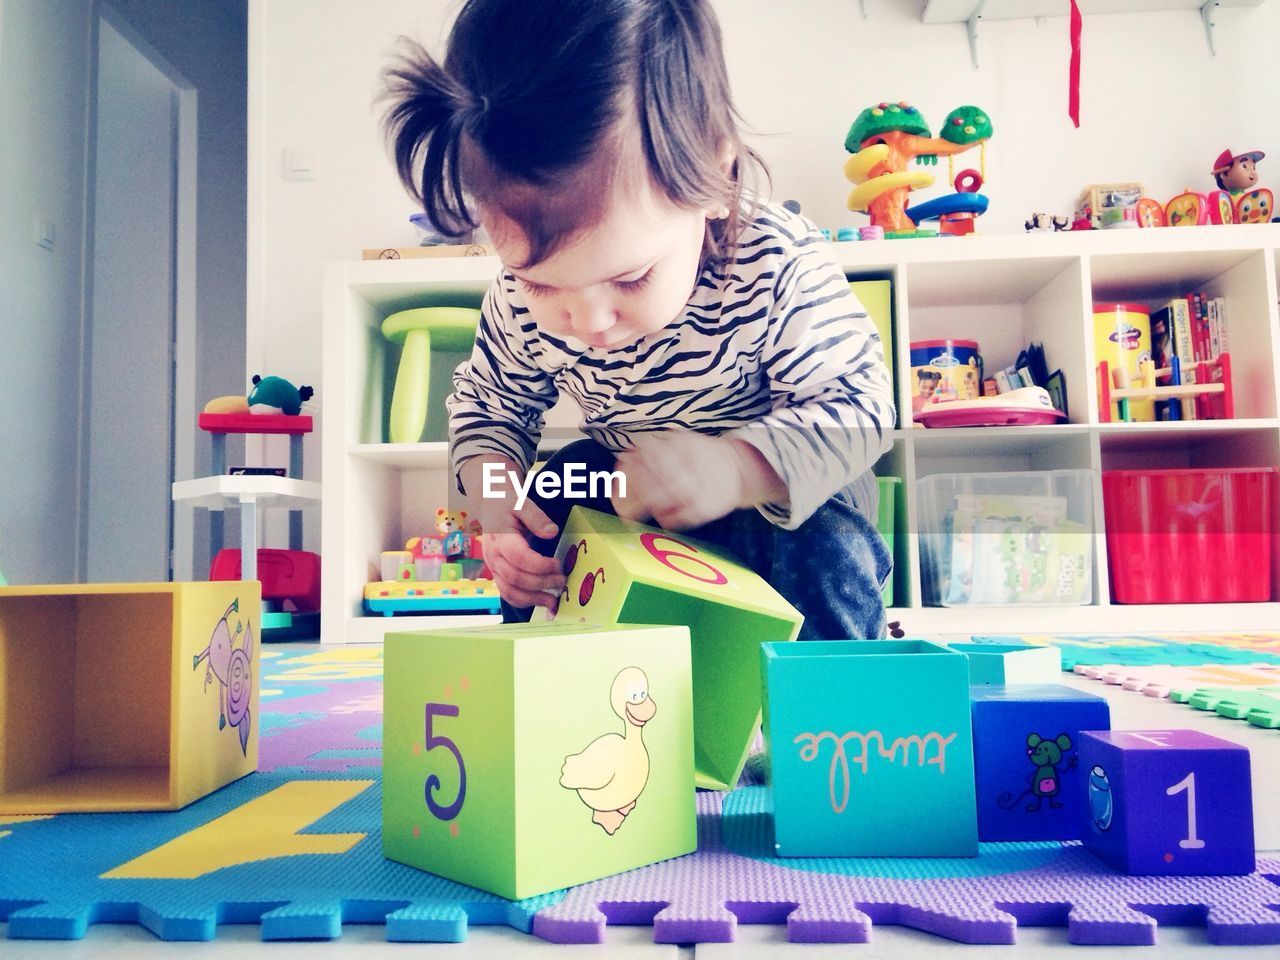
(1026, 738)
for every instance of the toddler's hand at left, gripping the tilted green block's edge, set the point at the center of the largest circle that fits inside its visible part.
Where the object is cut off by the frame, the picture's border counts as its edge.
(524, 578)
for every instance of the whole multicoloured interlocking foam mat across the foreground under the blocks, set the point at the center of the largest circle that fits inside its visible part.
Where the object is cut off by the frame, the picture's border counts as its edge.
(296, 849)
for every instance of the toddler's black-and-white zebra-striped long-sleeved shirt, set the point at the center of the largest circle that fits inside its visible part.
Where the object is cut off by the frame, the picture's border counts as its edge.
(772, 349)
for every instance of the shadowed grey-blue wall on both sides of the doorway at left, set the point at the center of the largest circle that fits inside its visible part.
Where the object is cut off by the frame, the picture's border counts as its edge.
(45, 58)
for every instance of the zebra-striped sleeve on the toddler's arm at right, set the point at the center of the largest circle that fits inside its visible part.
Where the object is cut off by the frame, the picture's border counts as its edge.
(833, 399)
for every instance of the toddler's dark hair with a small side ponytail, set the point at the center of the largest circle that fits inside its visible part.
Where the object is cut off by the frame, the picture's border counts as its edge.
(534, 109)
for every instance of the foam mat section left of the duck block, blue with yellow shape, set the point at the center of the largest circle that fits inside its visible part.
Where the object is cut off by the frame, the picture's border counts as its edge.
(295, 848)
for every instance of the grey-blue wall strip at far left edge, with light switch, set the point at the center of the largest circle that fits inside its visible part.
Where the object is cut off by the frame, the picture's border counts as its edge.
(44, 75)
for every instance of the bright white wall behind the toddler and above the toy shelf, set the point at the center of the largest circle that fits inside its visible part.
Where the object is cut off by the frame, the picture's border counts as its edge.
(1155, 108)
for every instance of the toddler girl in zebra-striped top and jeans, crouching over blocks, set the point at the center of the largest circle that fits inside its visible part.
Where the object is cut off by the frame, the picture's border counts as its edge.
(714, 346)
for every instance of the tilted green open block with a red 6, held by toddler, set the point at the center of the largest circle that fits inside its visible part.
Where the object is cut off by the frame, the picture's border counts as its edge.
(624, 573)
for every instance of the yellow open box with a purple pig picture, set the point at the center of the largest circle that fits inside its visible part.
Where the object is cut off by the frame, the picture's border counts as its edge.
(126, 697)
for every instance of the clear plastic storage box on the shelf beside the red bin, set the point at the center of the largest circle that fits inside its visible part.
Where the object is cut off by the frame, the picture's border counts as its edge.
(1005, 540)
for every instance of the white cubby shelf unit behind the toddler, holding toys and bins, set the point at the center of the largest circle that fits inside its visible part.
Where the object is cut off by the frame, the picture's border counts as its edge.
(1003, 291)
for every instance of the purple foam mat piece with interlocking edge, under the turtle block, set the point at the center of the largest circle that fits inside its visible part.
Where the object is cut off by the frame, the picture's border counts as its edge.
(702, 898)
